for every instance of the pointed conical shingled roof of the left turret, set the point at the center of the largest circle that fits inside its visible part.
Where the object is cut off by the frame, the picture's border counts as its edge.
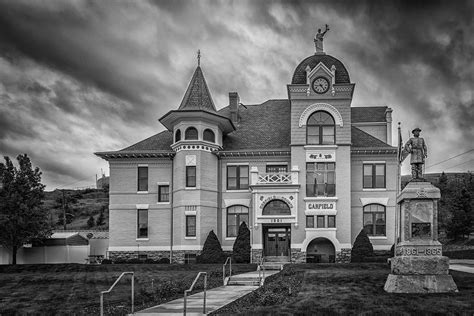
(197, 96)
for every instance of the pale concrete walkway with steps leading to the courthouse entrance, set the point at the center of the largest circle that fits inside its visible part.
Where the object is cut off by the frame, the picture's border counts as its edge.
(215, 299)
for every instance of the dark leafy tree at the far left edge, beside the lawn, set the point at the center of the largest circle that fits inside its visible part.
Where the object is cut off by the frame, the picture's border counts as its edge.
(22, 217)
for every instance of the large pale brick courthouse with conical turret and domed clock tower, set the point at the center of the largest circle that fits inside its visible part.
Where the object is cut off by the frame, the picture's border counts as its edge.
(306, 173)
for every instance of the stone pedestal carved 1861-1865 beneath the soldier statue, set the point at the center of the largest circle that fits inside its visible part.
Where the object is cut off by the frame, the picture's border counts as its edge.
(418, 265)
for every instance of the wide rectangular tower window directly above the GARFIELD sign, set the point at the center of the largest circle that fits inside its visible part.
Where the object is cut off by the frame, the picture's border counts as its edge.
(320, 179)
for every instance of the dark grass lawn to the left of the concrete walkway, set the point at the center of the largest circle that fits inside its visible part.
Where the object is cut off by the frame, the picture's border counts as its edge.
(73, 289)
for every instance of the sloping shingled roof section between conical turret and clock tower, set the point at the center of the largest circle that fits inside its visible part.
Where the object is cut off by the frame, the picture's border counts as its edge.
(263, 126)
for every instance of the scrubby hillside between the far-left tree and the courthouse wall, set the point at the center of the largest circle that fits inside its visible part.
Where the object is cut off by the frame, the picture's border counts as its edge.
(81, 204)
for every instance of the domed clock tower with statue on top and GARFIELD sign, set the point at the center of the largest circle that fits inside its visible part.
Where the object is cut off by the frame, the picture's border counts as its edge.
(320, 95)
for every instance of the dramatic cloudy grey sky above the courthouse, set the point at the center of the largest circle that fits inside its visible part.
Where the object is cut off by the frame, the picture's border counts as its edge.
(78, 77)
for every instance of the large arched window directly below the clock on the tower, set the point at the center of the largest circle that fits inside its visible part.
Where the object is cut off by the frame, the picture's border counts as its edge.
(321, 129)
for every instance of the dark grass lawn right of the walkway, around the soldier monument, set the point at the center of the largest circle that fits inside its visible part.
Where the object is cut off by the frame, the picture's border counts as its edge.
(351, 289)
